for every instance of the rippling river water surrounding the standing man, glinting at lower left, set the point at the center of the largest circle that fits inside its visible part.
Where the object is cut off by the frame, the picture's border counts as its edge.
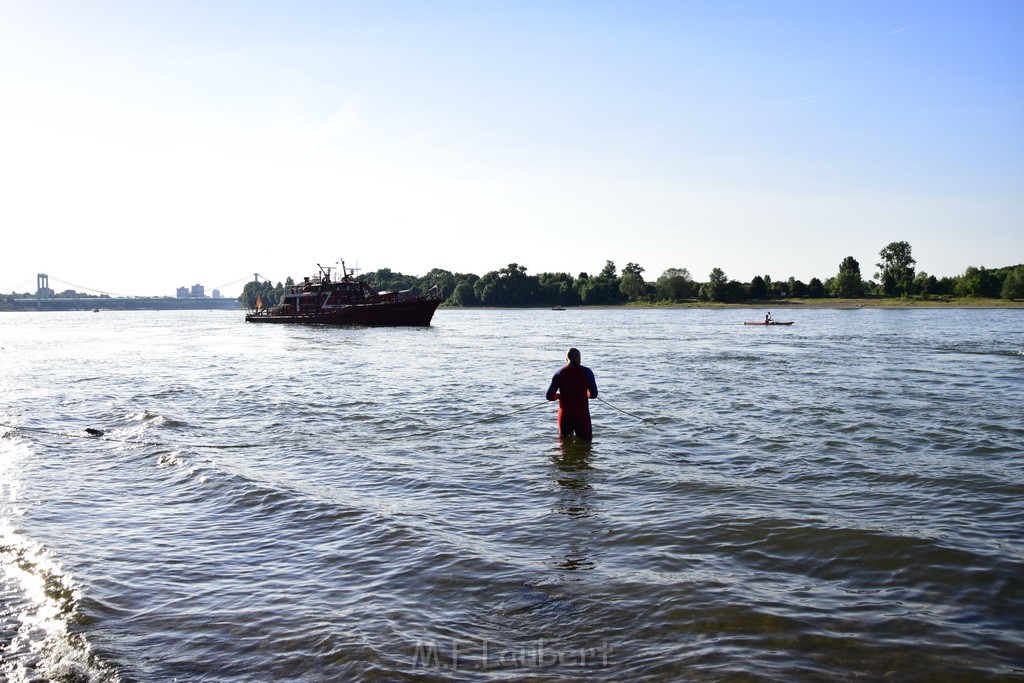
(839, 499)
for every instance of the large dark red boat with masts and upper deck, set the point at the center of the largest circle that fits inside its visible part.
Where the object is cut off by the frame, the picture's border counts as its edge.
(321, 301)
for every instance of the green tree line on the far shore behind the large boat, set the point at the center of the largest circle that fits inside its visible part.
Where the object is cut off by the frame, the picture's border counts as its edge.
(897, 283)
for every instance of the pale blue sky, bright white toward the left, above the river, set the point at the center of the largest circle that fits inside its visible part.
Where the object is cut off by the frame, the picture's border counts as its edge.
(151, 146)
